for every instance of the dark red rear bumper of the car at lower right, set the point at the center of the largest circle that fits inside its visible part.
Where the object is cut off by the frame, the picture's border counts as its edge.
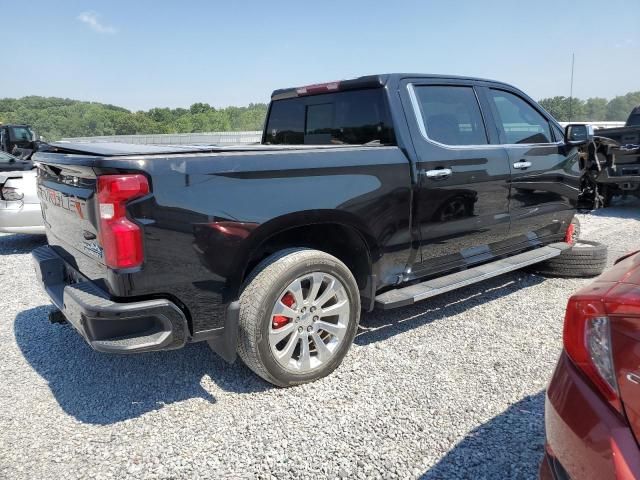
(586, 438)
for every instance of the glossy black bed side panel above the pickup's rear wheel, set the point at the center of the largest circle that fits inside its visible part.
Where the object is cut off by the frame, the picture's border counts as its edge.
(209, 212)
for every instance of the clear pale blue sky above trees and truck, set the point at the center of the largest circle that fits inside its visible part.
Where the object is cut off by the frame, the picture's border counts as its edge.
(141, 54)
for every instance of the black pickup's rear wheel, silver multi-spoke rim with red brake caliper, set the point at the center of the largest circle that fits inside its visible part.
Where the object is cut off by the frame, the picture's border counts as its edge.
(299, 313)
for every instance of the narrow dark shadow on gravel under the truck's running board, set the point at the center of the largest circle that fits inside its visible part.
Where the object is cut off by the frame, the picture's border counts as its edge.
(380, 325)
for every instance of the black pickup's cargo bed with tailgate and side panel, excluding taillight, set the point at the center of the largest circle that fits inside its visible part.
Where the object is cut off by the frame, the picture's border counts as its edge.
(198, 194)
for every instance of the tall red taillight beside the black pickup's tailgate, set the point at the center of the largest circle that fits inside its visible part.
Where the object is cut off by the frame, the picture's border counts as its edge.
(121, 239)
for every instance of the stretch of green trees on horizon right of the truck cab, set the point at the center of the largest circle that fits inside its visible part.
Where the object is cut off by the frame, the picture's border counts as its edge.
(566, 109)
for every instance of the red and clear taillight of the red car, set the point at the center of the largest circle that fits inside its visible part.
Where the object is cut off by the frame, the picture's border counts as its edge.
(587, 341)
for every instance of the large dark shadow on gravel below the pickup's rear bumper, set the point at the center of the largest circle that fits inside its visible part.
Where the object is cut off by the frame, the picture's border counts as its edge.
(103, 389)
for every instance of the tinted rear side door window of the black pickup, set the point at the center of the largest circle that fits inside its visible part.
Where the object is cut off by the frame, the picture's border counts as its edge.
(451, 114)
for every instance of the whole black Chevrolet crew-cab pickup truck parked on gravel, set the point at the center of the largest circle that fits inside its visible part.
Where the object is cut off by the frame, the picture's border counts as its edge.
(378, 191)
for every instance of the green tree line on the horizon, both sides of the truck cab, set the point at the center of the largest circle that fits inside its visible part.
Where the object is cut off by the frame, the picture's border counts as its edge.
(55, 118)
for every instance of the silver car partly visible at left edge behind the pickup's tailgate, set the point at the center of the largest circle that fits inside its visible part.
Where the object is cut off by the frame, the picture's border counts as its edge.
(19, 204)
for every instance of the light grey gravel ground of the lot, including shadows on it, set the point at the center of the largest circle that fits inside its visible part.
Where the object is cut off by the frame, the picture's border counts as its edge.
(450, 388)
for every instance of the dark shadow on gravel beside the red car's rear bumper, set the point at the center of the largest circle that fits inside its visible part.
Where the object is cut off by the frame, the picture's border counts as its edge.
(510, 445)
